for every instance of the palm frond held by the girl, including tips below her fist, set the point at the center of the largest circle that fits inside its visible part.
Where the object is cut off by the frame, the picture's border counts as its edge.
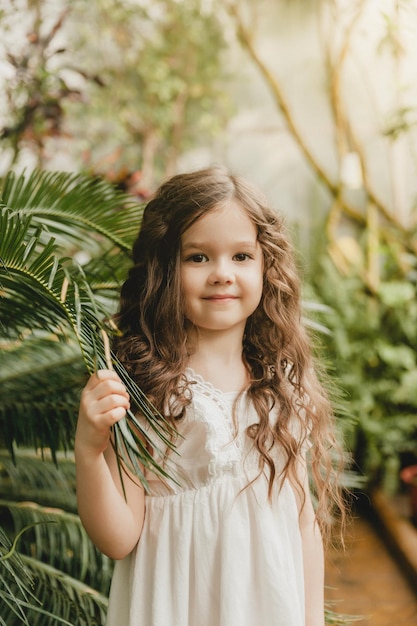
(40, 290)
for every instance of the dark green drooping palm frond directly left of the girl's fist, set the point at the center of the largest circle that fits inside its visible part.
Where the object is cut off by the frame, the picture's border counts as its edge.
(41, 380)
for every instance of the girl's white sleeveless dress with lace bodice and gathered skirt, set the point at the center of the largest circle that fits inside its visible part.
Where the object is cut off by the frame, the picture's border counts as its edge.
(213, 553)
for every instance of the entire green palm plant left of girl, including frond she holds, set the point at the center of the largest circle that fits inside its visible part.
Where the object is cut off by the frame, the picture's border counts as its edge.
(54, 328)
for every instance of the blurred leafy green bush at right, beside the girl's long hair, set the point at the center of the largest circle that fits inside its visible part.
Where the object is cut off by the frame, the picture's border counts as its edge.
(372, 348)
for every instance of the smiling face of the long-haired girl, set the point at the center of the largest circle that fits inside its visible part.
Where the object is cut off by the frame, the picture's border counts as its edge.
(221, 270)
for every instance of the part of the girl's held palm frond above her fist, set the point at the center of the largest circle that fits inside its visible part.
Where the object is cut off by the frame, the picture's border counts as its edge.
(40, 289)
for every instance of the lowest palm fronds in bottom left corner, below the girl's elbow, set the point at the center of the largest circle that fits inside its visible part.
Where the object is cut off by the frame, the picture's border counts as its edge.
(34, 592)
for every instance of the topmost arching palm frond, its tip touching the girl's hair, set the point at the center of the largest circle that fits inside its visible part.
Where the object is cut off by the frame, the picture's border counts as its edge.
(74, 207)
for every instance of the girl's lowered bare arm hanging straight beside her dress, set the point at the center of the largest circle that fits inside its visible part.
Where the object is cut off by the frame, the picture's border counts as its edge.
(313, 557)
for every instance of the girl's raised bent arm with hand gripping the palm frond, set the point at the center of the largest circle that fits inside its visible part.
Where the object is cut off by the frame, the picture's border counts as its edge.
(113, 522)
